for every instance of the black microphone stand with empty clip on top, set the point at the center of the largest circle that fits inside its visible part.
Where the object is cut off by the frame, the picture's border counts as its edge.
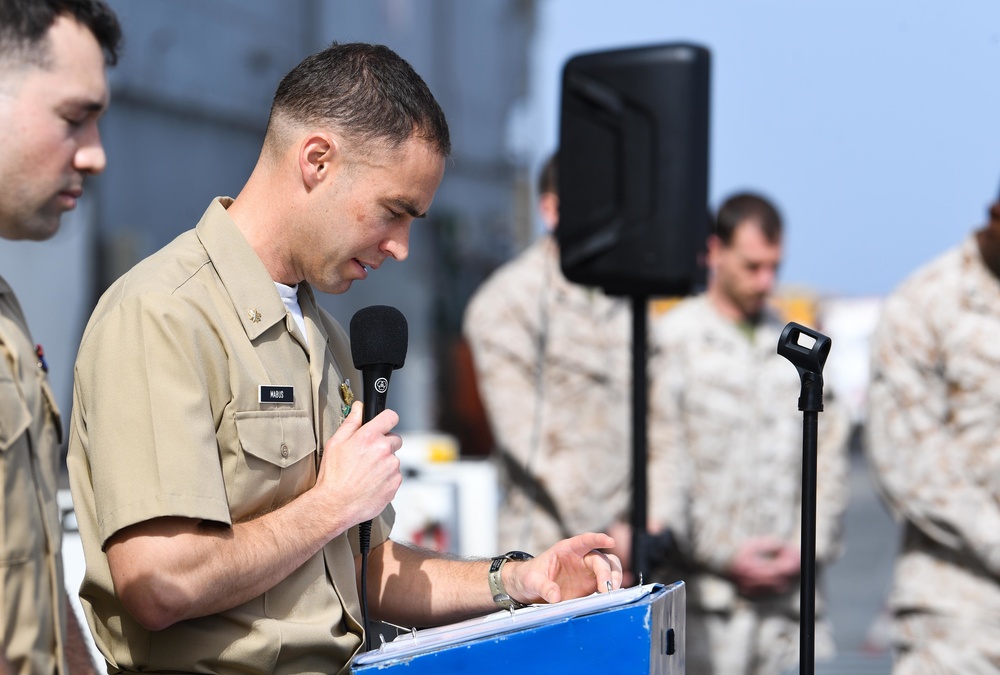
(809, 360)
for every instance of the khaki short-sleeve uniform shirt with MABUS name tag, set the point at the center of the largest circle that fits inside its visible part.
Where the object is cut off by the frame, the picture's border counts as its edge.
(174, 415)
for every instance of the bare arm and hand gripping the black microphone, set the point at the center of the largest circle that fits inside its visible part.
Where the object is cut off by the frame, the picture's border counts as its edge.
(169, 569)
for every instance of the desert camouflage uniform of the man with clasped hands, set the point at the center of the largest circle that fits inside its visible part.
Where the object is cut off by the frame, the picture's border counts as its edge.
(726, 437)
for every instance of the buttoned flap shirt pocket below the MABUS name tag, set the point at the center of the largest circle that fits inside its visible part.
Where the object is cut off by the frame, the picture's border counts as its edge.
(275, 464)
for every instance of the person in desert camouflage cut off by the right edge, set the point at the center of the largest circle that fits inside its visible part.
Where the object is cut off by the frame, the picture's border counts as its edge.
(934, 449)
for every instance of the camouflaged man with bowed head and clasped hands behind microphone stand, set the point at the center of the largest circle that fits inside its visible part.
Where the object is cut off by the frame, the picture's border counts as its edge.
(724, 413)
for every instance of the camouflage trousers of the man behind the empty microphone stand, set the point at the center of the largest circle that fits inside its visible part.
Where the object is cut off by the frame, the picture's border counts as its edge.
(745, 642)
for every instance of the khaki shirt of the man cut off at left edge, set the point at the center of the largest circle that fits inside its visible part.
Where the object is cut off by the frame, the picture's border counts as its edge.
(33, 621)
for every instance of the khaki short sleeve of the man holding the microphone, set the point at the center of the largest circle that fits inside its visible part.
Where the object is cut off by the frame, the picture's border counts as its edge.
(142, 376)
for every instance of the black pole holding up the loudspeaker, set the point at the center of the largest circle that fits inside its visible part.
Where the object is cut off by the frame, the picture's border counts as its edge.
(640, 405)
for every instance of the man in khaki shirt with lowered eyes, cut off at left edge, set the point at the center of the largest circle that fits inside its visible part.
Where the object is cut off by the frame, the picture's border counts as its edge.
(53, 89)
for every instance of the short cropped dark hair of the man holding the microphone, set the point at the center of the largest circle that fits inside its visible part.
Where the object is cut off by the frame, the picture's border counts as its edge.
(367, 92)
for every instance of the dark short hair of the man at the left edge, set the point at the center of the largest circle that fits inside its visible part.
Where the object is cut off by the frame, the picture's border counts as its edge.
(24, 27)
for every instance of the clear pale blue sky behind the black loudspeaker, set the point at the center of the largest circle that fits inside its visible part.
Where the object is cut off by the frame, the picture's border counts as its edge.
(875, 126)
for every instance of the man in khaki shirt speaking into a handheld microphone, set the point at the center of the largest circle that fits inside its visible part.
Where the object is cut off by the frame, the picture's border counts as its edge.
(220, 527)
